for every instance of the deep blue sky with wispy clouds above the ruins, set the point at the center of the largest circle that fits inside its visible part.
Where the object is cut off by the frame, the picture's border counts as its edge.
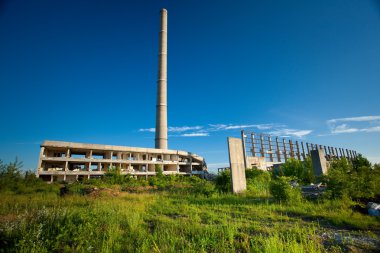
(85, 71)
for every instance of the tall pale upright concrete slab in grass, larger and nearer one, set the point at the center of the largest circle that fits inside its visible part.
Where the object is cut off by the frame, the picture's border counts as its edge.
(235, 151)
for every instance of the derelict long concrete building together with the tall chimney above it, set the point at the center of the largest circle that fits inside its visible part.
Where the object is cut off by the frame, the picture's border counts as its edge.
(69, 161)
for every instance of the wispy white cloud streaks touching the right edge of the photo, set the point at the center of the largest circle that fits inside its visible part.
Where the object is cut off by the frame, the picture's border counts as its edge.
(366, 124)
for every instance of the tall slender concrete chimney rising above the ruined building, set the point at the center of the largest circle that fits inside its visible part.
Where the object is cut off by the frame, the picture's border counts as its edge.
(161, 106)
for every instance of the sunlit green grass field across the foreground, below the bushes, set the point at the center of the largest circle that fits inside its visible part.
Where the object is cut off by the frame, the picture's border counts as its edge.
(170, 222)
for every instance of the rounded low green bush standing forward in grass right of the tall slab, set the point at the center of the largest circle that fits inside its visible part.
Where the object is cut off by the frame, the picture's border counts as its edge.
(282, 191)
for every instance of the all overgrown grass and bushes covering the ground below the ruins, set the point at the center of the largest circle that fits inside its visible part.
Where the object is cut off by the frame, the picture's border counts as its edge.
(187, 214)
